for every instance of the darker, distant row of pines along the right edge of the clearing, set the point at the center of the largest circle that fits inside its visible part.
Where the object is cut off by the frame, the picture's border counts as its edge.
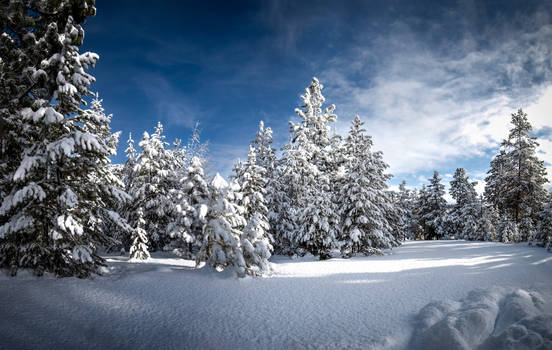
(515, 207)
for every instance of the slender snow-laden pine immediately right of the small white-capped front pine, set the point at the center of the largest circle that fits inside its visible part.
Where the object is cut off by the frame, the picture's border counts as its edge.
(256, 239)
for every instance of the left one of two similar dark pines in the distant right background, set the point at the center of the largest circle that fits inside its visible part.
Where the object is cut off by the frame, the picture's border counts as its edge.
(432, 207)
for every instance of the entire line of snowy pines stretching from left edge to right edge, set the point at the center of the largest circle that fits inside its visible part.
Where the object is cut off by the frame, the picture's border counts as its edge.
(326, 194)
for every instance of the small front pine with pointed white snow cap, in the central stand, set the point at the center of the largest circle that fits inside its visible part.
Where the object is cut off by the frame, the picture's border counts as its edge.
(221, 243)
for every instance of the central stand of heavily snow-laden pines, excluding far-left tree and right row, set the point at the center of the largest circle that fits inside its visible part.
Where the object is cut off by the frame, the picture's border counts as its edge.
(325, 195)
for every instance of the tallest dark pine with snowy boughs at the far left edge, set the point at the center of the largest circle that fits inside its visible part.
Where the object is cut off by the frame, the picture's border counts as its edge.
(57, 188)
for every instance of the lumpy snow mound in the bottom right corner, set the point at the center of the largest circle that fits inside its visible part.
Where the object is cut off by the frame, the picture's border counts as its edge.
(485, 319)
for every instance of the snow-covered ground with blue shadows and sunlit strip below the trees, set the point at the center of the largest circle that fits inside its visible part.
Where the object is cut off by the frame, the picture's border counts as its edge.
(422, 294)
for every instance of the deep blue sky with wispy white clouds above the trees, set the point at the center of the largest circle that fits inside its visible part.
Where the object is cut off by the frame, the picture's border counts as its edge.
(435, 82)
